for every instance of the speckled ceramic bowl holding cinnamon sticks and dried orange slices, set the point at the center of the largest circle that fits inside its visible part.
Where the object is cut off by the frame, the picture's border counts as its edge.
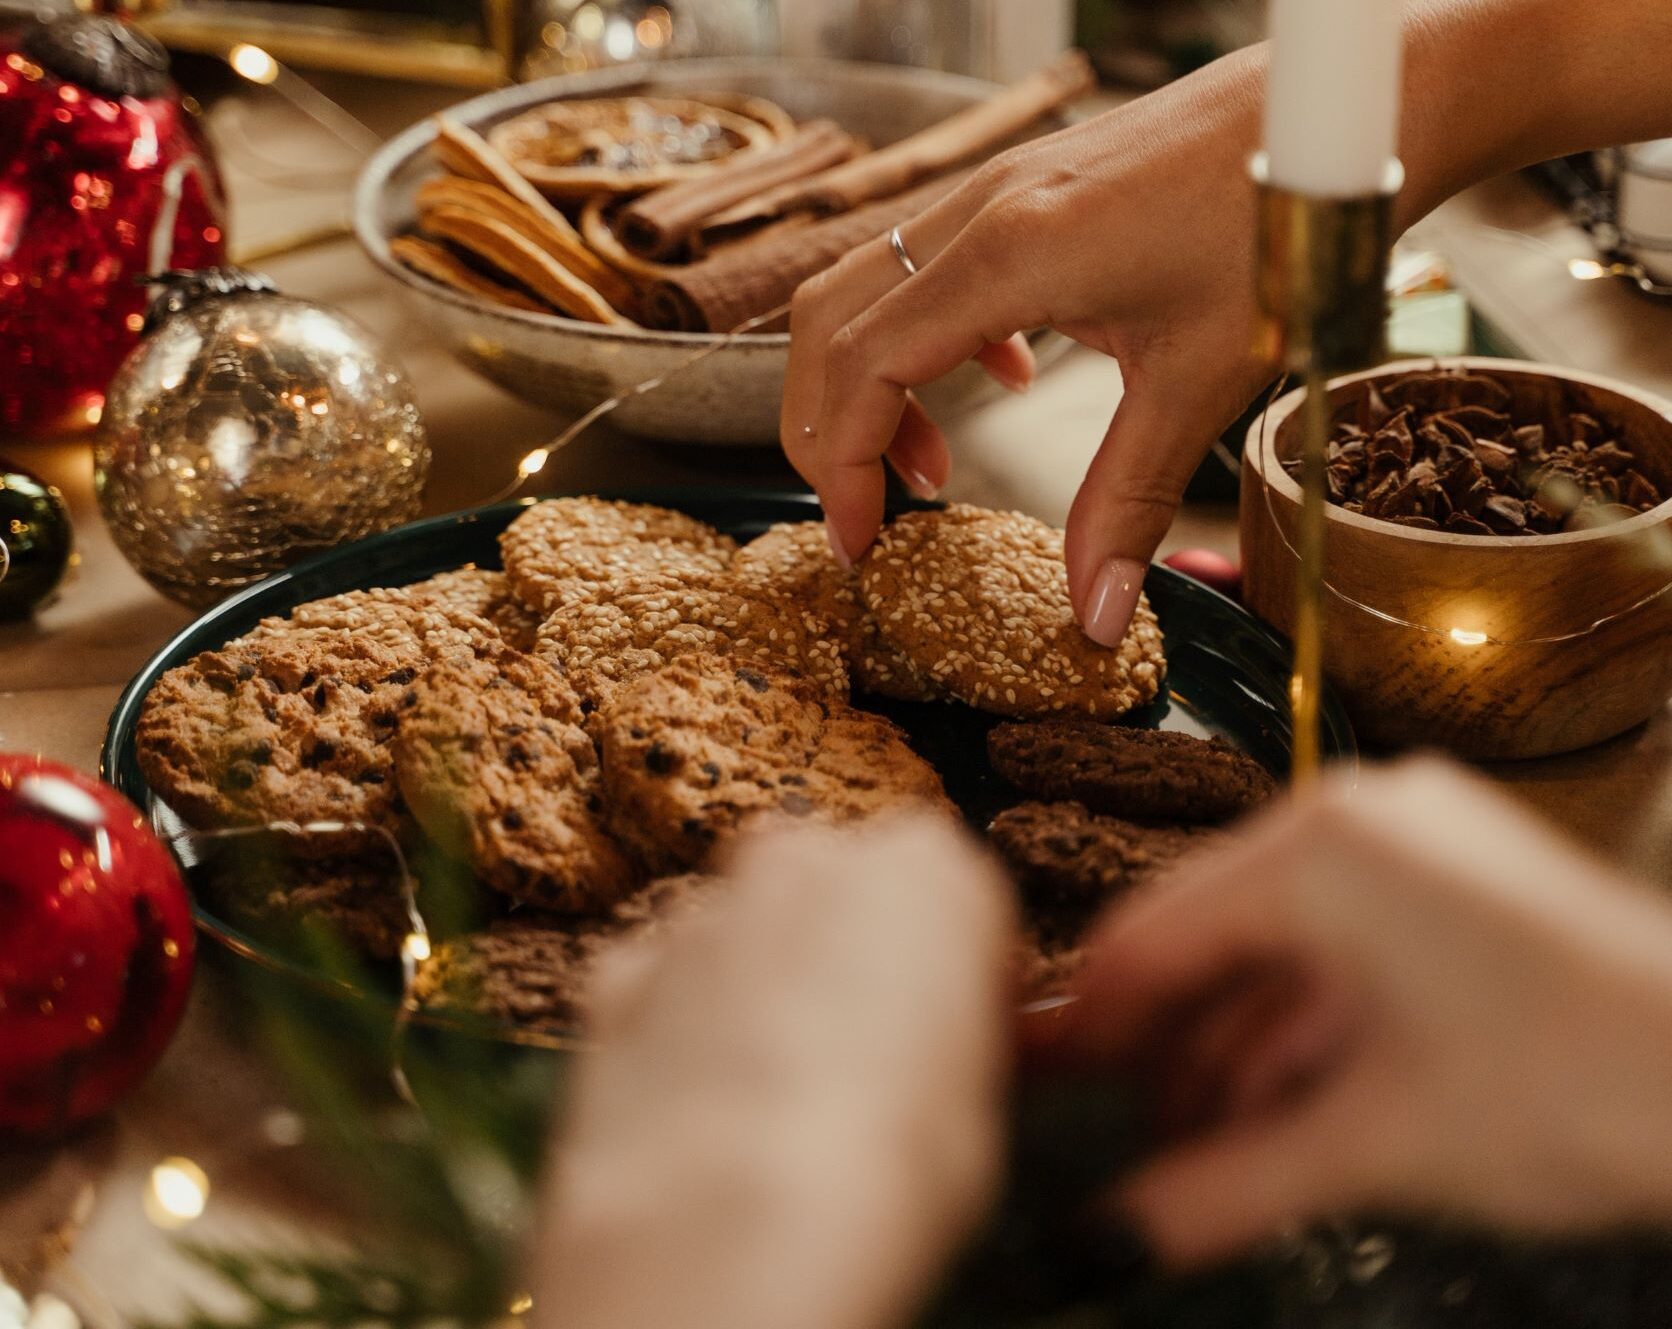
(733, 395)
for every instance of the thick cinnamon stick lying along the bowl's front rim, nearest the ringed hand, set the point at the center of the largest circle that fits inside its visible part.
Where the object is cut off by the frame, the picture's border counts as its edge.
(758, 275)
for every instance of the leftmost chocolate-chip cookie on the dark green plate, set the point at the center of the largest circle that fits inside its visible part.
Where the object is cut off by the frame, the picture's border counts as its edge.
(280, 730)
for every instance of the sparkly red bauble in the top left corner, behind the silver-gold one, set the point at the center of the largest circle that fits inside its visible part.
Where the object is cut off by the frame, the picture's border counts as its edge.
(96, 153)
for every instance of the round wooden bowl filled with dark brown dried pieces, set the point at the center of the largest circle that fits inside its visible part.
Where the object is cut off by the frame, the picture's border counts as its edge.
(1487, 646)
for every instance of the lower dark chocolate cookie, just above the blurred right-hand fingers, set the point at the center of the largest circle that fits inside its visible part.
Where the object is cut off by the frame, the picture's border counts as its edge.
(1069, 863)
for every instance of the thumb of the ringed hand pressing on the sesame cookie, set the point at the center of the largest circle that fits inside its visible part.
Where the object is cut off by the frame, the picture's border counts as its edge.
(1133, 489)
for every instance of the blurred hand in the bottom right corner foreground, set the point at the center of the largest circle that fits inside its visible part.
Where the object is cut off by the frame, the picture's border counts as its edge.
(1405, 999)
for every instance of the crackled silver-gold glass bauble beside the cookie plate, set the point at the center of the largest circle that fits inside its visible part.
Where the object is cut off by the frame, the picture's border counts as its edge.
(247, 432)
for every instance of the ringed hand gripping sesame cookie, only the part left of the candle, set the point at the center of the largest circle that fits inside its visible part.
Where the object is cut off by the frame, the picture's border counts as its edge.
(1133, 235)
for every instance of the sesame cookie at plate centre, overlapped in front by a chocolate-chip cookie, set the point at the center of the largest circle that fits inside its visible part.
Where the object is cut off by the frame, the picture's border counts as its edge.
(646, 623)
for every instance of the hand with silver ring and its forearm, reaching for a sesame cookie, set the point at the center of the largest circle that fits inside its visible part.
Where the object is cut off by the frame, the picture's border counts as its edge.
(1134, 235)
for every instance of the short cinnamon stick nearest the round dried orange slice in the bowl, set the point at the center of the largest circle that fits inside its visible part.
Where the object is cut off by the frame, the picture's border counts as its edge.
(660, 225)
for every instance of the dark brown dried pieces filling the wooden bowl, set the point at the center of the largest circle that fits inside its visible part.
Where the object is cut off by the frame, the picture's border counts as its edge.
(1450, 451)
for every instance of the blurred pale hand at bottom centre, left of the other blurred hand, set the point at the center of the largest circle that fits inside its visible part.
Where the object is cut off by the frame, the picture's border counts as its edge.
(797, 1107)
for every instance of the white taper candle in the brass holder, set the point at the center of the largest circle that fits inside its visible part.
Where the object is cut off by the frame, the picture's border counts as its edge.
(1333, 103)
